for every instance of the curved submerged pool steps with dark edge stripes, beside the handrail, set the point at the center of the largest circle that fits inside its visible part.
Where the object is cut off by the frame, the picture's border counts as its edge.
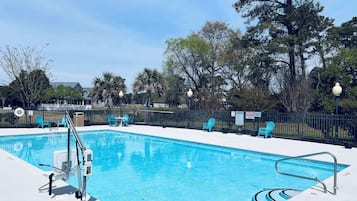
(278, 194)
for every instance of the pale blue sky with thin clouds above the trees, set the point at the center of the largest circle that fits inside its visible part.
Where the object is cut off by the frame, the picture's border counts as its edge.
(85, 38)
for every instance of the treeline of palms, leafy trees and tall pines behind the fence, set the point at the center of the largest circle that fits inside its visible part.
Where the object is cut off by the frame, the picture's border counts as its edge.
(288, 60)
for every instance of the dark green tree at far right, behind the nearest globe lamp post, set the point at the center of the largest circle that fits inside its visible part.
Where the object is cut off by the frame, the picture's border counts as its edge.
(341, 66)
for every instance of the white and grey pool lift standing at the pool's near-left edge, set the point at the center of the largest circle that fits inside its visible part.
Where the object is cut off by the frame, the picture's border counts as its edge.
(62, 169)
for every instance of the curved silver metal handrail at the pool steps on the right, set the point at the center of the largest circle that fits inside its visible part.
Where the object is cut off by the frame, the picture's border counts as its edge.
(311, 178)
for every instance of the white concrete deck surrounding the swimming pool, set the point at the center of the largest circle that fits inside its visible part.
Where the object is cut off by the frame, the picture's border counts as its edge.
(22, 181)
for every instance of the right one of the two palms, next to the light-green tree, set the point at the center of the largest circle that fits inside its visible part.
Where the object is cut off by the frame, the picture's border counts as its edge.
(147, 82)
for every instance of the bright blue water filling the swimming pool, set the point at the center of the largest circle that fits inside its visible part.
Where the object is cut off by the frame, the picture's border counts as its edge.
(133, 167)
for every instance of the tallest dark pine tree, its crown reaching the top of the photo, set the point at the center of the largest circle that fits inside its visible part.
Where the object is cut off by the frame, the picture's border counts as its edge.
(286, 32)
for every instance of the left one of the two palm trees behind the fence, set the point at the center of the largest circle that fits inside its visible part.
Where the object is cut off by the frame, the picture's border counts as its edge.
(107, 87)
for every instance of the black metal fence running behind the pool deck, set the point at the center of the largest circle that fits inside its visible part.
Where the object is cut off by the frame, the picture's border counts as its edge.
(326, 128)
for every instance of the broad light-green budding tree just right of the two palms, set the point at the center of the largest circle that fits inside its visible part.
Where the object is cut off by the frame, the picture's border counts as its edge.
(202, 60)
